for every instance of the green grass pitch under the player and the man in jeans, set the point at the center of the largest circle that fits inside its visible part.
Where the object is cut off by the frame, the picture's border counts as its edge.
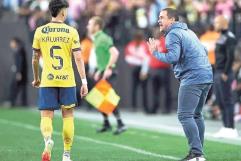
(20, 140)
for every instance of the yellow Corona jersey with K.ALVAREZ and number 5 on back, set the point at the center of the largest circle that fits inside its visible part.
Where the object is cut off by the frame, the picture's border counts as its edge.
(56, 42)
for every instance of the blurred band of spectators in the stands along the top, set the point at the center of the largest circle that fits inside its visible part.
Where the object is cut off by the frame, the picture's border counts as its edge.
(129, 15)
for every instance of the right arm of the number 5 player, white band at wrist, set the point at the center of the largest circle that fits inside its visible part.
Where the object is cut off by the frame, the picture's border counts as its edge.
(81, 70)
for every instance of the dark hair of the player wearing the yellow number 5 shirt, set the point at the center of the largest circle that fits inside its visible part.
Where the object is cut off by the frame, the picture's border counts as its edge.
(55, 6)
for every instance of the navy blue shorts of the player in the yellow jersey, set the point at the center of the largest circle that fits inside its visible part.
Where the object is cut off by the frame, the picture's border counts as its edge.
(53, 98)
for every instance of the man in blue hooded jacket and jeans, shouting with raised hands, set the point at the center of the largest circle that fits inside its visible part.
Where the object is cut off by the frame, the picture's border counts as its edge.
(192, 68)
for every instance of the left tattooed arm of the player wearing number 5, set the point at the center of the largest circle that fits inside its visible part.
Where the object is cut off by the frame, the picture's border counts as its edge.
(35, 67)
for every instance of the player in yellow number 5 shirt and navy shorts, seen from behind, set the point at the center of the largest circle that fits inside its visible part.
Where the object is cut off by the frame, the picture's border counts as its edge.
(56, 42)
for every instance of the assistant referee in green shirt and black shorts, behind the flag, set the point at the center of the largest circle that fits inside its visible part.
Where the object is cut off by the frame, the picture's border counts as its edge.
(106, 57)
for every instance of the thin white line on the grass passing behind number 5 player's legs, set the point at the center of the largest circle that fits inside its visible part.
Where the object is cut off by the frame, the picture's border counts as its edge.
(140, 151)
